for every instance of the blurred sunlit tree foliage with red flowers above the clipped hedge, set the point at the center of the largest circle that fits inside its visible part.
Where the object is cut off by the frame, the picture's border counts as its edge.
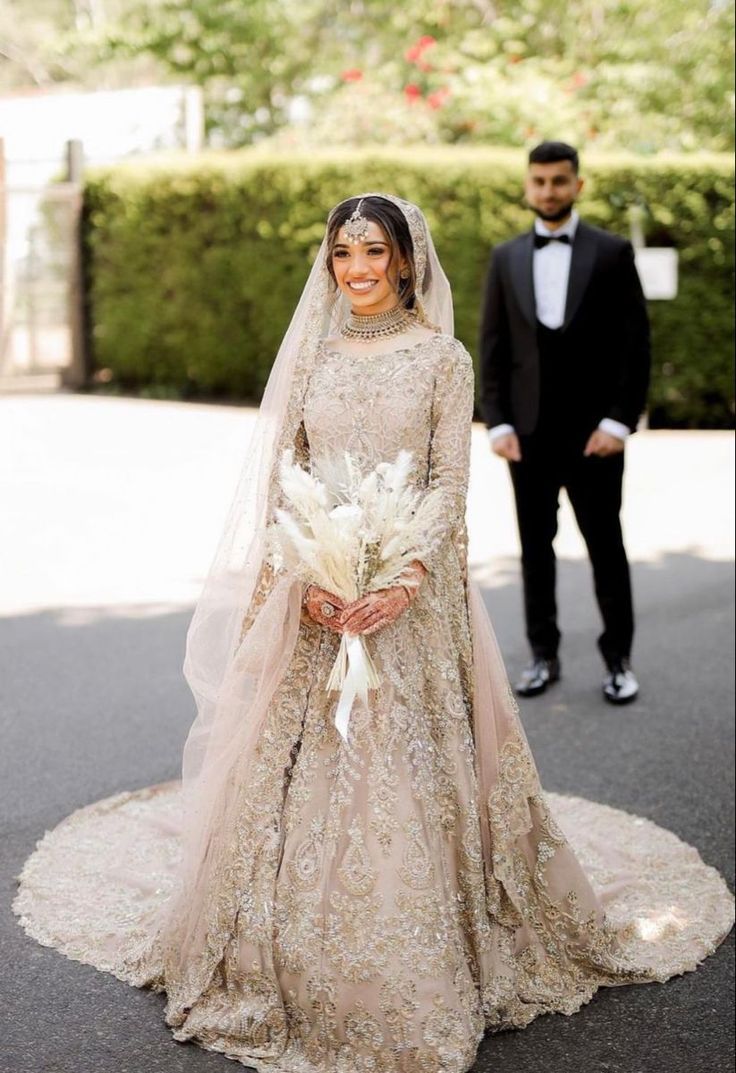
(609, 74)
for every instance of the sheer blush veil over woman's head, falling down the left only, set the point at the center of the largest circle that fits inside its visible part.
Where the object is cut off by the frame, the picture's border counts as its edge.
(233, 673)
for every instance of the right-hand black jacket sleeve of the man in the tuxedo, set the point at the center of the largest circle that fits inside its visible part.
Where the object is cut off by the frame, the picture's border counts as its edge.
(631, 392)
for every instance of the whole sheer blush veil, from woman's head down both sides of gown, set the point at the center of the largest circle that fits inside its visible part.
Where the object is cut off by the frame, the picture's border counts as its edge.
(241, 642)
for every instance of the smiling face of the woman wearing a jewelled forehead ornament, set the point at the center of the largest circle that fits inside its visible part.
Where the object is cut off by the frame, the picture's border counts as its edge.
(366, 273)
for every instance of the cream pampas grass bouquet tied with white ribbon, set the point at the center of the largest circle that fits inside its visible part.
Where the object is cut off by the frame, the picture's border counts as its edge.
(352, 534)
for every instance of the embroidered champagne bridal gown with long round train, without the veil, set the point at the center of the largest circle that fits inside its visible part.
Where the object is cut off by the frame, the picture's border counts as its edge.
(358, 922)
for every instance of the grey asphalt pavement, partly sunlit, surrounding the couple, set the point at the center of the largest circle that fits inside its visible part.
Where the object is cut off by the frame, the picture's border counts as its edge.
(109, 511)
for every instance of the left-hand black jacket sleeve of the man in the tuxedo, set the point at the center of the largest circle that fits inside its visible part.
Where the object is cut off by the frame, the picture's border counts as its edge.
(495, 352)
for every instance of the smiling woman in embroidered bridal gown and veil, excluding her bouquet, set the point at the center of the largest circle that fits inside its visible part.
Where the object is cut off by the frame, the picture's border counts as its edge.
(314, 905)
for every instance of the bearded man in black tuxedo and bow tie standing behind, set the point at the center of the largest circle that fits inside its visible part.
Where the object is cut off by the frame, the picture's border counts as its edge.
(565, 366)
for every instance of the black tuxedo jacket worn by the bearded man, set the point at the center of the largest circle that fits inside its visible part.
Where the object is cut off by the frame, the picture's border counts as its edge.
(606, 335)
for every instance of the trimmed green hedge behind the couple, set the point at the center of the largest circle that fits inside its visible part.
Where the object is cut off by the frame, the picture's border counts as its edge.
(195, 264)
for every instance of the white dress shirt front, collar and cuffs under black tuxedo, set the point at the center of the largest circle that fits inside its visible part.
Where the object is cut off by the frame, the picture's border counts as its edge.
(551, 270)
